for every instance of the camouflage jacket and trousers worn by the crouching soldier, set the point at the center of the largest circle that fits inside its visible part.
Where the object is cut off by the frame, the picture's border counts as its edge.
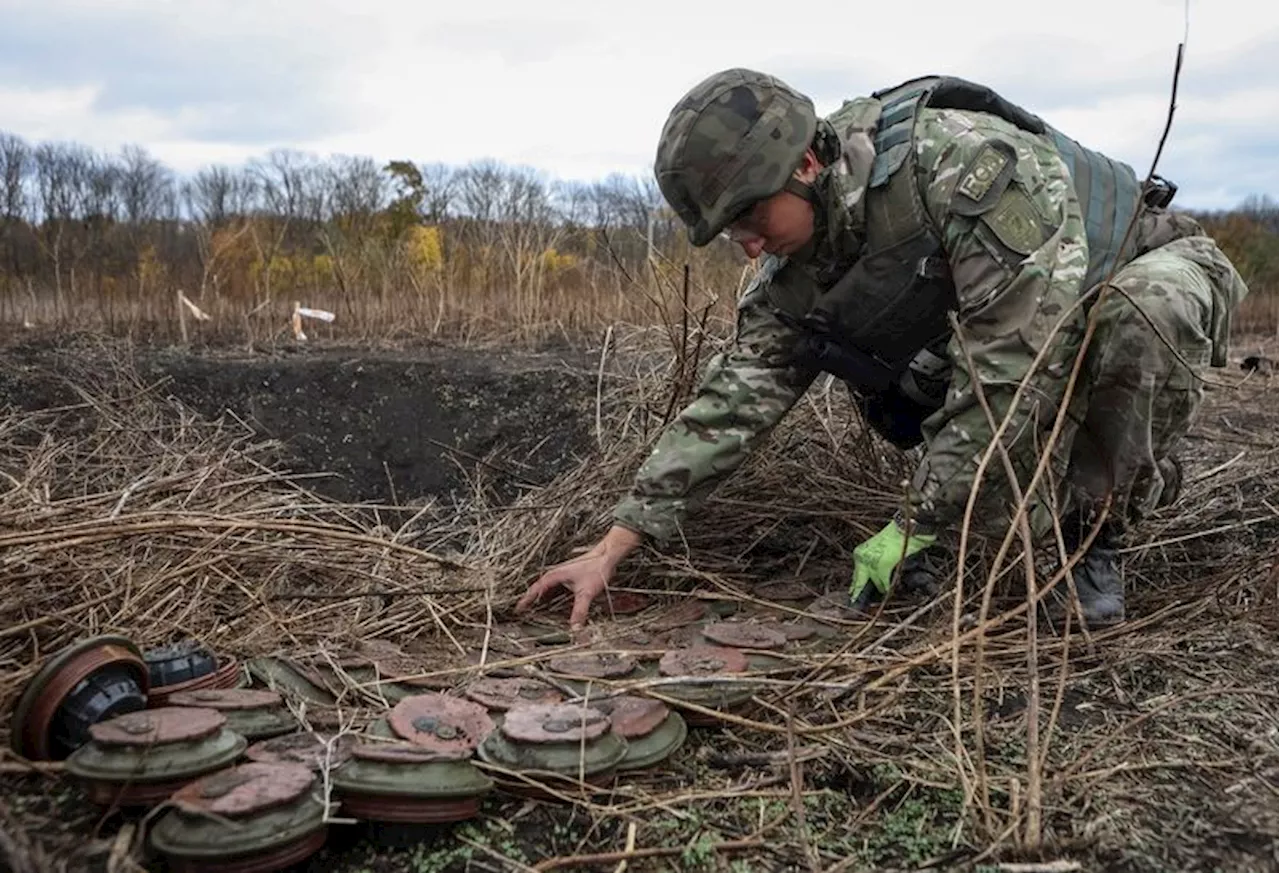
(1020, 257)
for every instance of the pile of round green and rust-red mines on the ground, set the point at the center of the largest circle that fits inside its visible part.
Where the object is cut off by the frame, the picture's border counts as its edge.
(254, 758)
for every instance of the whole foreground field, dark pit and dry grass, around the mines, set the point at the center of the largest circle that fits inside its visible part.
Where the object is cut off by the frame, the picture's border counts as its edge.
(166, 492)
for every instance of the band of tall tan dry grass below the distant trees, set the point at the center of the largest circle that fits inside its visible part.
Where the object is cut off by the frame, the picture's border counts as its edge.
(468, 300)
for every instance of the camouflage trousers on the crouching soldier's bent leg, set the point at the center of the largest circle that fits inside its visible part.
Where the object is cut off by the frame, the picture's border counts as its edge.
(1158, 327)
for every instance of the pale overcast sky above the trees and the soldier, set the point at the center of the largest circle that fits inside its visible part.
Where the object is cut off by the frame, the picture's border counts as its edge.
(580, 88)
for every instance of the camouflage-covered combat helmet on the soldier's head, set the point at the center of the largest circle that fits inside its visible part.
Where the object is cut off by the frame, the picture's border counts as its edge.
(735, 139)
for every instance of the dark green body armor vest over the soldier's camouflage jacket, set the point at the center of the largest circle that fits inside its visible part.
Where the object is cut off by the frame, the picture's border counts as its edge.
(890, 309)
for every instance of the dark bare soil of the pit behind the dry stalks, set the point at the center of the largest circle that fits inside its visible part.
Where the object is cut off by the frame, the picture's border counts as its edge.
(388, 427)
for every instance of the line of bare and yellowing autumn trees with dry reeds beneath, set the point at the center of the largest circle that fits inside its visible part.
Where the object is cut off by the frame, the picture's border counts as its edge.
(90, 239)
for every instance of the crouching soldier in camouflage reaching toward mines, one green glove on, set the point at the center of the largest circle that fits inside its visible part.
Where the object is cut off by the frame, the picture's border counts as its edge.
(934, 246)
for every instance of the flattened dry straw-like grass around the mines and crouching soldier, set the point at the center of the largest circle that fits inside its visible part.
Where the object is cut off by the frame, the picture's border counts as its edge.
(904, 741)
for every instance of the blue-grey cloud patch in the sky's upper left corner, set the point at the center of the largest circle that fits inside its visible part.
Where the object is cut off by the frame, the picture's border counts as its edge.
(209, 74)
